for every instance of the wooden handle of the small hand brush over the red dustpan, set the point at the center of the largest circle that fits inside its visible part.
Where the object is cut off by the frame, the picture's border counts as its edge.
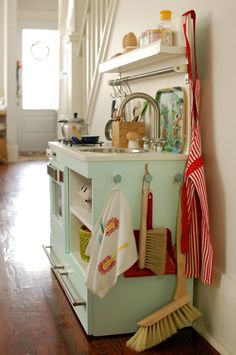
(143, 226)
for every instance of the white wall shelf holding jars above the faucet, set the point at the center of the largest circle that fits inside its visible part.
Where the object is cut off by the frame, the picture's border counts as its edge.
(149, 54)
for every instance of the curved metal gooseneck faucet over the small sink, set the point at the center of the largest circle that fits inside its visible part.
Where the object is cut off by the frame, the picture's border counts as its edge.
(141, 95)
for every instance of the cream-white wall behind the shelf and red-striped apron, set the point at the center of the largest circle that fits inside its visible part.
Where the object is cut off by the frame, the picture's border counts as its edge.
(216, 57)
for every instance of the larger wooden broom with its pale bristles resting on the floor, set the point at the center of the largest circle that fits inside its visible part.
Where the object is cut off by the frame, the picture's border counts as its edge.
(165, 322)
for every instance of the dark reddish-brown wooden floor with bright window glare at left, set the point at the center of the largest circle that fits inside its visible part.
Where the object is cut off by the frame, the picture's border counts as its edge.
(35, 315)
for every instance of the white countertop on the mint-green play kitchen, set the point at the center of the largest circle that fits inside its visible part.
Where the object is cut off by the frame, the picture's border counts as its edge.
(77, 152)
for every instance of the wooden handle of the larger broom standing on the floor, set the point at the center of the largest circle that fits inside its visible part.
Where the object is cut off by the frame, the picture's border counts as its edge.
(181, 288)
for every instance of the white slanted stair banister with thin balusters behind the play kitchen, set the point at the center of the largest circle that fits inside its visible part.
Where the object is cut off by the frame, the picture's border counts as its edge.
(96, 25)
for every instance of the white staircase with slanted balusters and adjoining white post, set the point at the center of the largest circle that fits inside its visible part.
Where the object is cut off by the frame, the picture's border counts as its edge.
(84, 40)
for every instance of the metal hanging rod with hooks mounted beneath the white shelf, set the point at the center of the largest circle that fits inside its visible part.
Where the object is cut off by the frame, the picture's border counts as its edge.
(182, 68)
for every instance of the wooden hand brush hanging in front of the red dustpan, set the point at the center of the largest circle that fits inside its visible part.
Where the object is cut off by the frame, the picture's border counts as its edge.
(153, 242)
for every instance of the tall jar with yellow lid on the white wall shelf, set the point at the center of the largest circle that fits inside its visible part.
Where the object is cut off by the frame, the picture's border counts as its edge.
(165, 27)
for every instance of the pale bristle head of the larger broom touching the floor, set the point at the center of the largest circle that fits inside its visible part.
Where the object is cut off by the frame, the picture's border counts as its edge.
(148, 336)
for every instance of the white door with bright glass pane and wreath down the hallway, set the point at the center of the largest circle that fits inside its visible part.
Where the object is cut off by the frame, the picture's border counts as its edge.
(37, 85)
